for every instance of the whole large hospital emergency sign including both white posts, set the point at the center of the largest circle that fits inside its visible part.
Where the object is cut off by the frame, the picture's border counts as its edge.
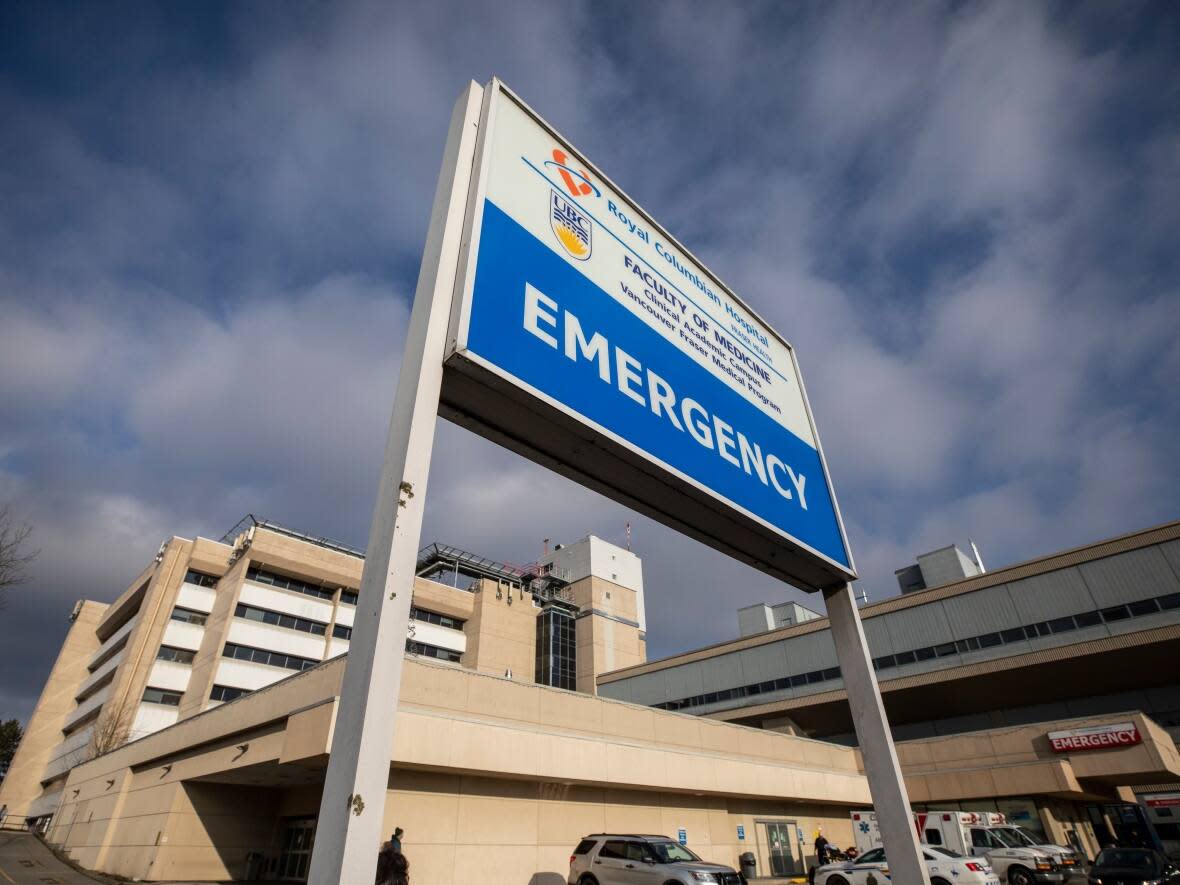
(555, 317)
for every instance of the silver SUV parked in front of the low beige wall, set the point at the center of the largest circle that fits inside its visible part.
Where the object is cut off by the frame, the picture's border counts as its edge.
(624, 860)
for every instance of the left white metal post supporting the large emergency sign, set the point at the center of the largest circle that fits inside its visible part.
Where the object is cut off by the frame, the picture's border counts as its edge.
(349, 834)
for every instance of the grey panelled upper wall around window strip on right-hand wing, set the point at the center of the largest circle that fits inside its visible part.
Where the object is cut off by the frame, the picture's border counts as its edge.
(1123, 571)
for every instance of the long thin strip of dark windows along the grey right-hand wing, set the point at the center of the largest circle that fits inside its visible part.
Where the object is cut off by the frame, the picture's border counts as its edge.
(991, 640)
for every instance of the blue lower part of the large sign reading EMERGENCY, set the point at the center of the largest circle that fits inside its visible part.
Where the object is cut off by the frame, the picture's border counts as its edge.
(539, 319)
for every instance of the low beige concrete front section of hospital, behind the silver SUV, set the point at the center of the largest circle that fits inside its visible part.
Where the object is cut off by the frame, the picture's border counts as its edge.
(494, 781)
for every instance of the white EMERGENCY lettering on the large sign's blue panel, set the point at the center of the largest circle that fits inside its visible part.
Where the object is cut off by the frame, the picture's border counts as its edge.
(562, 331)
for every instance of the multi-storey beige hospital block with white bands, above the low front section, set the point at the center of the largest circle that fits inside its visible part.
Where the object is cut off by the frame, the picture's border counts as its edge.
(208, 622)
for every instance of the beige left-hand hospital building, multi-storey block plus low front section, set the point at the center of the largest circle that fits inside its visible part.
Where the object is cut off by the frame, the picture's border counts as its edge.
(185, 732)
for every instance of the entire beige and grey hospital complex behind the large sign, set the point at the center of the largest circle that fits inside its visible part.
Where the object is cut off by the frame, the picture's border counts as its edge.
(185, 730)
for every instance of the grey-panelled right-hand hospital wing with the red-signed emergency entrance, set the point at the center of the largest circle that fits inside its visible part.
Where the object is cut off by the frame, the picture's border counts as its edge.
(1001, 659)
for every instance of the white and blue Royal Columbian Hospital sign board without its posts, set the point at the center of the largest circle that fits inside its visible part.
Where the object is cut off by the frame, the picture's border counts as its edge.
(582, 304)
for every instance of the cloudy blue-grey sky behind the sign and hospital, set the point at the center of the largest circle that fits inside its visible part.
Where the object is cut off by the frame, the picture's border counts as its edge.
(963, 217)
